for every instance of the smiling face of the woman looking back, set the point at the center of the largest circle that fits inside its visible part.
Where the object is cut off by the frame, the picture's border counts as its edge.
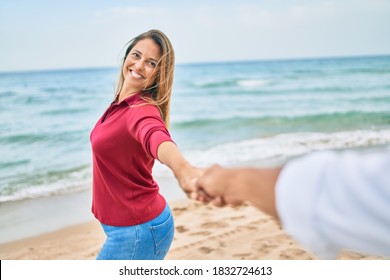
(140, 68)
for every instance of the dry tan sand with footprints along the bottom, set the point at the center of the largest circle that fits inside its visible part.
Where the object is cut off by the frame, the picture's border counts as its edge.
(203, 232)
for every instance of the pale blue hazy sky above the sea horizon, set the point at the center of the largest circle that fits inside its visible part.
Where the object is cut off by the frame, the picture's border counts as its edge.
(51, 34)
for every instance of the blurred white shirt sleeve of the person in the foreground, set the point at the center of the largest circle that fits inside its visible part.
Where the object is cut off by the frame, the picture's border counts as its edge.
(331, 201)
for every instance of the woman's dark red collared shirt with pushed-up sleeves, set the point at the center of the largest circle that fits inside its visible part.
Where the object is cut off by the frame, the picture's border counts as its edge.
(124, 146)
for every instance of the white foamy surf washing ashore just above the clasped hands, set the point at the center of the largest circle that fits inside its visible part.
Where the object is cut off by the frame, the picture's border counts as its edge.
(281, 147)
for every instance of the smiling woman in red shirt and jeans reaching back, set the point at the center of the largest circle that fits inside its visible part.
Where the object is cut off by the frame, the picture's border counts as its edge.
(125, 141)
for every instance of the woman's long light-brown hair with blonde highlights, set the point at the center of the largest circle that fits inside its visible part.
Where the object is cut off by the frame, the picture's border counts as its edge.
(161, 92)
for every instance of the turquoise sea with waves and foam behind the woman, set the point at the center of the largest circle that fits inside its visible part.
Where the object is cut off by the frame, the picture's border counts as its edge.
(231, 113)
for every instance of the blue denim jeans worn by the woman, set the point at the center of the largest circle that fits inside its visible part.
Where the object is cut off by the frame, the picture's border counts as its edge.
(148, 241)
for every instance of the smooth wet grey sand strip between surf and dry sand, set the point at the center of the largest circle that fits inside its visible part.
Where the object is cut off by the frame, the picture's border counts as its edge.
(32, 217)
